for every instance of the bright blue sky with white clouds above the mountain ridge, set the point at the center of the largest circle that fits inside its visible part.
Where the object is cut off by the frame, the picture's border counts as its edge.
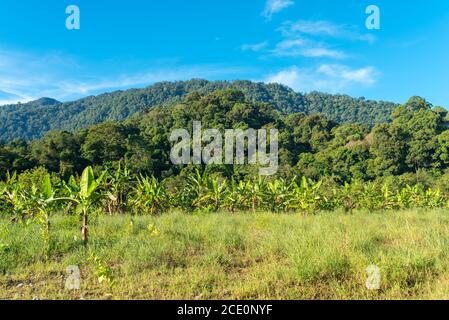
(307, 45)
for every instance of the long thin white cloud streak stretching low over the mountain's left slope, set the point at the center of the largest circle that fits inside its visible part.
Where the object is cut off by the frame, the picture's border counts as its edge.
(25, 77)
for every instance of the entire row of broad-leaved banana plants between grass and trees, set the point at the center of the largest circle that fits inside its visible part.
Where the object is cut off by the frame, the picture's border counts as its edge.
(120, 191)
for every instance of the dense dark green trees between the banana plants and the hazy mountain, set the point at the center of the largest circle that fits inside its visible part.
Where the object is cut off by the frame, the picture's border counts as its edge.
(414, 145)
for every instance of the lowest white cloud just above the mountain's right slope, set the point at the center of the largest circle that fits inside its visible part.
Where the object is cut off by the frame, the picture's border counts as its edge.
(331, 78)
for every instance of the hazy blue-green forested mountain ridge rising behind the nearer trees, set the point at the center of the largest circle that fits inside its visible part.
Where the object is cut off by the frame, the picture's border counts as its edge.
(32, 120)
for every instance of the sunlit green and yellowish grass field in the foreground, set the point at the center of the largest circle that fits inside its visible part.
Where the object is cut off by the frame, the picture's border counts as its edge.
(224, 256)
